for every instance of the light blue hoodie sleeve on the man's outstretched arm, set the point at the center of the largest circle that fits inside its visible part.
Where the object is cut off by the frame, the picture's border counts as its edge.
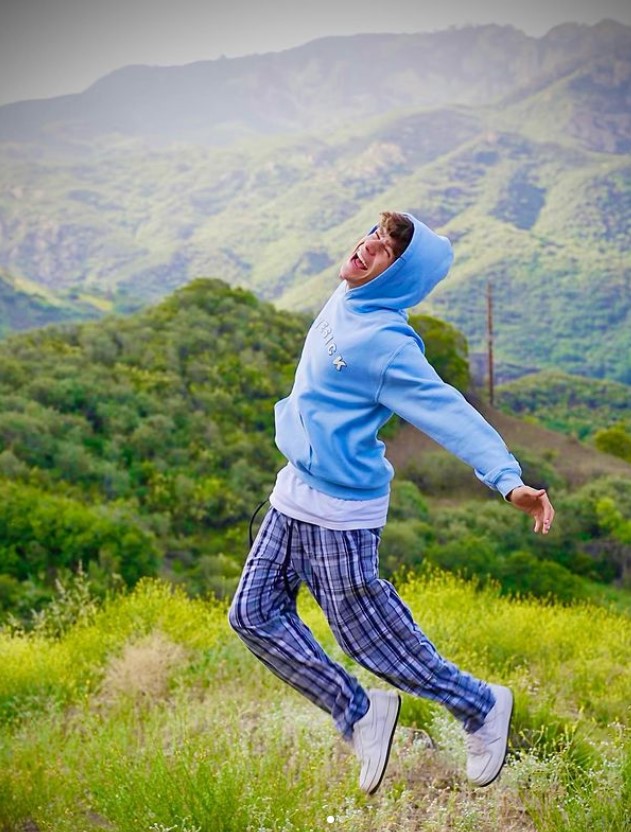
(412, 389)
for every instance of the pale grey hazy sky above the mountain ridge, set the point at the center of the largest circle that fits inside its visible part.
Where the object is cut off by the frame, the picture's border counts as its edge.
(53, 47)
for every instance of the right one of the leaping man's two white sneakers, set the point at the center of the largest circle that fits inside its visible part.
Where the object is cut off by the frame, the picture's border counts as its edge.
(486, 747)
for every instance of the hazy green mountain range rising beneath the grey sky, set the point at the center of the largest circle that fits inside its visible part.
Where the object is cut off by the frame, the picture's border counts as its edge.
(264, 170)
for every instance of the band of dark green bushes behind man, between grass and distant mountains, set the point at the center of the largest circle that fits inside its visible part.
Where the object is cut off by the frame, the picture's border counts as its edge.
(141, 445)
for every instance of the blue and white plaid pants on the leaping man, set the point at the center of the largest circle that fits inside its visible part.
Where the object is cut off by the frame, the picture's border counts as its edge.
(367, 617)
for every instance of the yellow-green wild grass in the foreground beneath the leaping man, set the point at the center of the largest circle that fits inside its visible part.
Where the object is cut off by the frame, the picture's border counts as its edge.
(151, 715)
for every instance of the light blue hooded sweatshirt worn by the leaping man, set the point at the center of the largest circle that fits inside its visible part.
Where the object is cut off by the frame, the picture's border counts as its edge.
(361, 363)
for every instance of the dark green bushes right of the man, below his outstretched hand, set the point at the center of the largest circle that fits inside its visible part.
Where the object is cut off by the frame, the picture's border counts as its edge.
(483, 539)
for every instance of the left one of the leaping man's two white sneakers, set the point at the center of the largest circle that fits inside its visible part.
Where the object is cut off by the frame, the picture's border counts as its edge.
(372, 737)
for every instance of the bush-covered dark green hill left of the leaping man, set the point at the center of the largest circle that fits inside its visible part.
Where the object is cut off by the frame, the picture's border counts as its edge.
(141, 441)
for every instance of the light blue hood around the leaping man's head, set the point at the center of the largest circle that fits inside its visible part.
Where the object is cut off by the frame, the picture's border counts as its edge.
(411, 277)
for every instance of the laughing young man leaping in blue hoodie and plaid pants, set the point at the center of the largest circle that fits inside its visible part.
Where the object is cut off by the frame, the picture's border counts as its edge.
(362, 362)
